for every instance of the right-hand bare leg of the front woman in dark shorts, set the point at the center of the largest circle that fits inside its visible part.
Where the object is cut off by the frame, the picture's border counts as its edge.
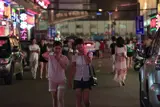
(86, 97)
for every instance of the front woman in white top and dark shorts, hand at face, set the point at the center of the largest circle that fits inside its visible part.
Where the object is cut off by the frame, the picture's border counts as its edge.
(80, 73)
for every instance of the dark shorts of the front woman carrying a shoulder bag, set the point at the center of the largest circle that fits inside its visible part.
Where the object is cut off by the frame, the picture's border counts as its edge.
(81, 85)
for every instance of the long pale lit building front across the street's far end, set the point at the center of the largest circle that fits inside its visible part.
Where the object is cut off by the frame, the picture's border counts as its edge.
(122, 28)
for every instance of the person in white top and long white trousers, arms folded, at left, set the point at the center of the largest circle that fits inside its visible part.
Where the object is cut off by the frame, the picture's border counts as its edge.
(34, 56)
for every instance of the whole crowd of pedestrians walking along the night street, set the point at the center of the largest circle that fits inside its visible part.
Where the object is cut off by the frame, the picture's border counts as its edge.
(75, 57)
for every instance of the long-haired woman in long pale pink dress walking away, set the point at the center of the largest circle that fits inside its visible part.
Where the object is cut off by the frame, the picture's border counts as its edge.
(120, 63)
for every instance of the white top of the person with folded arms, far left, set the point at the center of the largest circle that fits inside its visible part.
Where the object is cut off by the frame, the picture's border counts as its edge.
(33, 55)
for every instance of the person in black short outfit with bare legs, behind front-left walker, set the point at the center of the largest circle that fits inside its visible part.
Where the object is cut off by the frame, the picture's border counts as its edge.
(43, 62)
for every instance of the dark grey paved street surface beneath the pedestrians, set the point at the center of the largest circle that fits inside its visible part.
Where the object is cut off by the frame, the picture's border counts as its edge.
(33, 93)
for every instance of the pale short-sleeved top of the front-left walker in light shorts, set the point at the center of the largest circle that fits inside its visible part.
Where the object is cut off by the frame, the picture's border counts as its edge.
(55, 72)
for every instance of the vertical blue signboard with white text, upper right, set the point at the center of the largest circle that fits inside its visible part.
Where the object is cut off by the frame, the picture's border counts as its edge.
(140, 25)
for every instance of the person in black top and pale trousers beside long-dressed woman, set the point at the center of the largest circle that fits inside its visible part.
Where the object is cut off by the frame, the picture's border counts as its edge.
(112, 46)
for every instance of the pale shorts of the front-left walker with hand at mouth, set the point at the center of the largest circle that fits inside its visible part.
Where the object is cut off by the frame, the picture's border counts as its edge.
(53, 86)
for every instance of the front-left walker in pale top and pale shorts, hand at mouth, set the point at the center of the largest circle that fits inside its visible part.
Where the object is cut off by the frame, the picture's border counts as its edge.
(57, 64)
